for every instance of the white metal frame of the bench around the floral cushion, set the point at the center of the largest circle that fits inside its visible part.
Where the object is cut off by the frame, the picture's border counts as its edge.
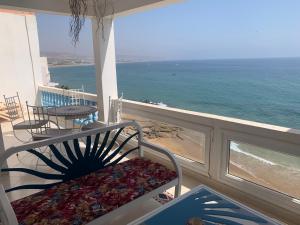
(7, 215)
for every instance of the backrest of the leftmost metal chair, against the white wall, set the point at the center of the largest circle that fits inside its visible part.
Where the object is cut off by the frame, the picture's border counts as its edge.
(14, 107)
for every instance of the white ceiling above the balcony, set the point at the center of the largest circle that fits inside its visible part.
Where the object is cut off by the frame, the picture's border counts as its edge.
(62, 6)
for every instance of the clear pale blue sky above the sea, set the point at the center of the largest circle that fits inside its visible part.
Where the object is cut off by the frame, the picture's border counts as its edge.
(193, 29)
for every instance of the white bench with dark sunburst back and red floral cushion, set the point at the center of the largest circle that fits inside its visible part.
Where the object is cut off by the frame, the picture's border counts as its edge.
(87, 178)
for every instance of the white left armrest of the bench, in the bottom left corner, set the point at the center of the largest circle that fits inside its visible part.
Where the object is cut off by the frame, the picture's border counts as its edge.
(7, 214)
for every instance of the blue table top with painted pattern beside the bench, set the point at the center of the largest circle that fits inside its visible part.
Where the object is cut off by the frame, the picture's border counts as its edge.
(206, 206)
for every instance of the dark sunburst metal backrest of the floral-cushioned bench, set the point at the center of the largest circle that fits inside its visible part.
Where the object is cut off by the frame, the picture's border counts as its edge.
(73, 157)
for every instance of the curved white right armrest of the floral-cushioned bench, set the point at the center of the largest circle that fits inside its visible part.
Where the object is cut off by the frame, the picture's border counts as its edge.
(166, 153)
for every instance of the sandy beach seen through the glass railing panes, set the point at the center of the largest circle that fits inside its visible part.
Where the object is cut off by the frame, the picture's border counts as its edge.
(191, 144)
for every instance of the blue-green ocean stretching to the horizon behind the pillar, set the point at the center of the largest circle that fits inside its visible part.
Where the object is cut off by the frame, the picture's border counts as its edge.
(262, 90)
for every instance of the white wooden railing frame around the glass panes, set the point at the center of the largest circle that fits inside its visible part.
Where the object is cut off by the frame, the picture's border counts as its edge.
(275, 138)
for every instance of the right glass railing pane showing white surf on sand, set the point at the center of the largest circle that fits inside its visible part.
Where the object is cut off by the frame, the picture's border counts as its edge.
(274, 170)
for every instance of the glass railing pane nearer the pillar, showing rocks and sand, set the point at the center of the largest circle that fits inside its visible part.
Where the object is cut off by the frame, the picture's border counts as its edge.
(181, 141)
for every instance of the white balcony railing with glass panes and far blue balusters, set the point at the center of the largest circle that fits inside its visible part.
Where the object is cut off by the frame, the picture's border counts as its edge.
(258, 159)
